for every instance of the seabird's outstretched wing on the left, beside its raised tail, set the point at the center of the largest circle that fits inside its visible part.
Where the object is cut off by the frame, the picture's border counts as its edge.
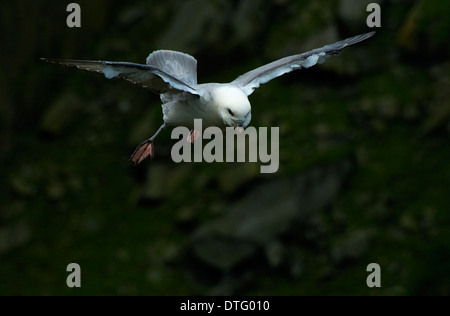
(147, 76)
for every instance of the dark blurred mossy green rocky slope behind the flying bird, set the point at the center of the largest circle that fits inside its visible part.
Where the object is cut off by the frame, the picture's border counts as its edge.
(364, 153)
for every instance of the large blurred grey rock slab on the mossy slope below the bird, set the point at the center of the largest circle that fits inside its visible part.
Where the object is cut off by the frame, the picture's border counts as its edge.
(266, 212)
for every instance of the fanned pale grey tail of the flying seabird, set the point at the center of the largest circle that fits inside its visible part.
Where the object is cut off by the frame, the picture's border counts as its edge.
(180, 65)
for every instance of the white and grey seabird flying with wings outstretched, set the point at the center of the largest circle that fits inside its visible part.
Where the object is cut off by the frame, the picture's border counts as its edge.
(173, 75)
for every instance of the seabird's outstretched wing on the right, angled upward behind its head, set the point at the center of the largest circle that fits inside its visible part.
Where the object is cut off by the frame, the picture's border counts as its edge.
(251, 80)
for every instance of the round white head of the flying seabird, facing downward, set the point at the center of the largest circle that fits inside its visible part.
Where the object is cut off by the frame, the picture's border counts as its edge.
(233, 106)
